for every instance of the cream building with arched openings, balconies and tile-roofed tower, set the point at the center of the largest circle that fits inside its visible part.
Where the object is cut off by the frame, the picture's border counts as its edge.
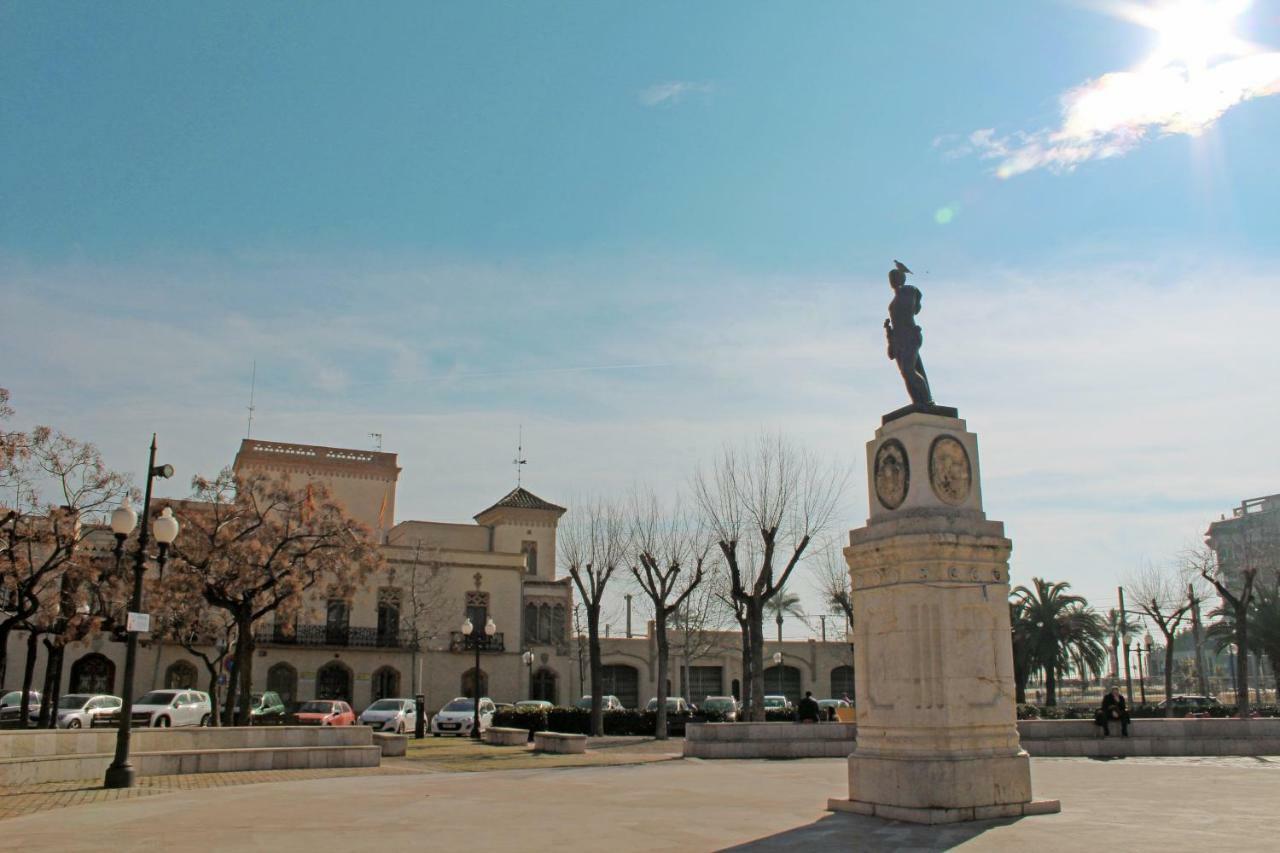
(400, 633)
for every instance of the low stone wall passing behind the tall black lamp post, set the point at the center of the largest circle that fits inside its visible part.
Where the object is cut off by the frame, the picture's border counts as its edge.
(29, 758)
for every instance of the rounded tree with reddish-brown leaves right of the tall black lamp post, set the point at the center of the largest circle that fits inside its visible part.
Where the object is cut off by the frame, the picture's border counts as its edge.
(257, 546)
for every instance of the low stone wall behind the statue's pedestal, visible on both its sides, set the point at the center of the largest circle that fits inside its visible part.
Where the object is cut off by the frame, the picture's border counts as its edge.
(1044, 738)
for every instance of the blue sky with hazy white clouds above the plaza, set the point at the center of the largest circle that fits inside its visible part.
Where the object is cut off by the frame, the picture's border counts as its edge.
(638, 232)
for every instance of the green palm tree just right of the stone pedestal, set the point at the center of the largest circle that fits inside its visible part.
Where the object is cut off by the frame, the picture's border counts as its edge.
(1058, 627)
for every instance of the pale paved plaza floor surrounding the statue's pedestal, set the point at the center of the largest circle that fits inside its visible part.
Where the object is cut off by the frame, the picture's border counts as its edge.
(689, 805)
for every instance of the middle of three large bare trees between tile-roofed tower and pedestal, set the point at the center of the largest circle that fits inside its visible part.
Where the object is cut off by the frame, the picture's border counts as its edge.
(662, 545)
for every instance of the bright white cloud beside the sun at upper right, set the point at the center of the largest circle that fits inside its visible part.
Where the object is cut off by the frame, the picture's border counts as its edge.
(1174, 93)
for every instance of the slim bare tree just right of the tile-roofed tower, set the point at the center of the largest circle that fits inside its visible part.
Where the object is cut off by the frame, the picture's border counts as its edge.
(592, 549)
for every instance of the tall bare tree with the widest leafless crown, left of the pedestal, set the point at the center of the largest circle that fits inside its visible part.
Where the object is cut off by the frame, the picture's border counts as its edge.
(781, 499)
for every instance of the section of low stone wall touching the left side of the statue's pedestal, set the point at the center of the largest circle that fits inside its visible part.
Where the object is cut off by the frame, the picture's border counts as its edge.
(770, 740)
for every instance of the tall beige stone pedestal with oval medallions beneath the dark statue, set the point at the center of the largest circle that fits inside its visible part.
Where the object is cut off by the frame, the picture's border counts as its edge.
(938, 728)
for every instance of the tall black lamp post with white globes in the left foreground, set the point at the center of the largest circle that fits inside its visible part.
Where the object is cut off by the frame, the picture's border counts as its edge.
(124, 519)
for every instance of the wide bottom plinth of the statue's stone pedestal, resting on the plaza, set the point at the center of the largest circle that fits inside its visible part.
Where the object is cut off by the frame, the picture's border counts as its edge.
(940, 790)
